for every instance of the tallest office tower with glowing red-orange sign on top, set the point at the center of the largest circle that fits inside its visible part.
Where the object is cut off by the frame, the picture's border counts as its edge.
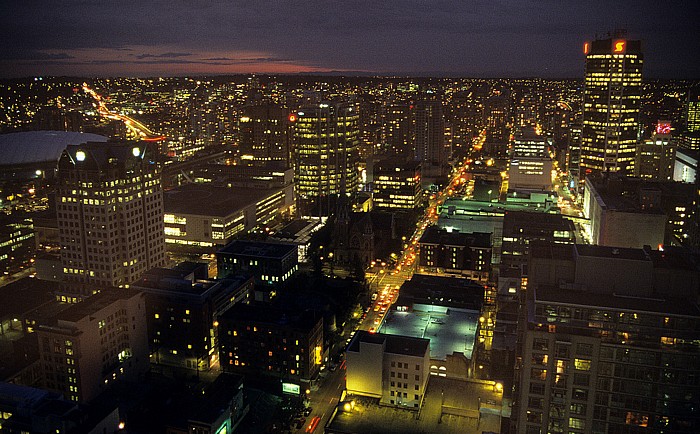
(611, 101)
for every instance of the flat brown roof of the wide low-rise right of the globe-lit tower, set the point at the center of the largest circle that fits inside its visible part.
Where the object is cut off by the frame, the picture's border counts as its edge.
(220, 201)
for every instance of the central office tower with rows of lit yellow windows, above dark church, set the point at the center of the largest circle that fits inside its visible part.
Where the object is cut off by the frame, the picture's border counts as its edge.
(326, 139)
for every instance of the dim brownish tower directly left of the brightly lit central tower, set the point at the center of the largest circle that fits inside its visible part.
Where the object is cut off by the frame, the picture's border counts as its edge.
(264, 134)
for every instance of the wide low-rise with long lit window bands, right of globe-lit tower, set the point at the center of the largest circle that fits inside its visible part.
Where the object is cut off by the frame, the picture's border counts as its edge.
(230, 212)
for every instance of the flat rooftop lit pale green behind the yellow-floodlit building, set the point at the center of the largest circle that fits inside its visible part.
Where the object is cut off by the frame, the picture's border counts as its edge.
(448, 330)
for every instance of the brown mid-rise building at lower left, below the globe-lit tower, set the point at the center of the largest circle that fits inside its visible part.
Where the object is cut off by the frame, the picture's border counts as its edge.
(95, 343)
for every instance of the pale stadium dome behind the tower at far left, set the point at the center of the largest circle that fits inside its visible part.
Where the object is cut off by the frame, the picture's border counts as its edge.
(37, 147)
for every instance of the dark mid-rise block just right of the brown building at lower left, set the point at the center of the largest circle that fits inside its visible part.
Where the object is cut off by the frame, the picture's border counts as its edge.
(182, 309)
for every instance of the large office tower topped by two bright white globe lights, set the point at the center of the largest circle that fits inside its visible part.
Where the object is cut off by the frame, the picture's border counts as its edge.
(109, 204)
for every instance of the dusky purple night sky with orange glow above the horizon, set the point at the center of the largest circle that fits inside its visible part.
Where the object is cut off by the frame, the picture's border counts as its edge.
(471, 38)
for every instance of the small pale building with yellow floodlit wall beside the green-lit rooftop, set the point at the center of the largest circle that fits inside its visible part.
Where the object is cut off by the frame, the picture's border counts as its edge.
(393, 368)
